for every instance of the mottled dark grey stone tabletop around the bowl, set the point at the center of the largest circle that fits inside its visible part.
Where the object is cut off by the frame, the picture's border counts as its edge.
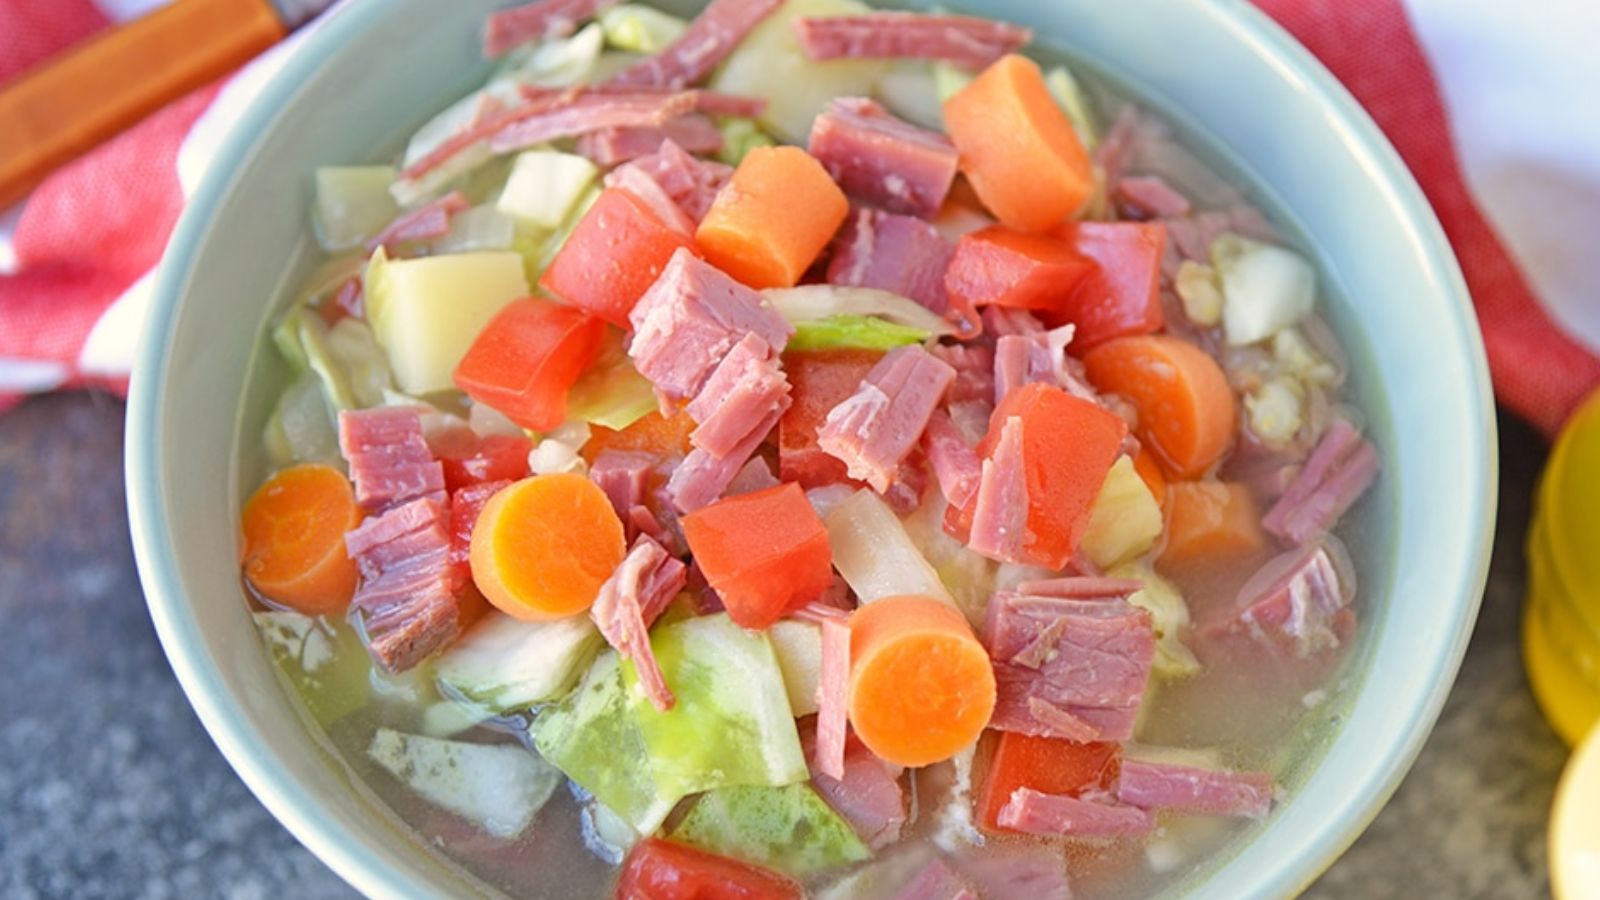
(111, 789)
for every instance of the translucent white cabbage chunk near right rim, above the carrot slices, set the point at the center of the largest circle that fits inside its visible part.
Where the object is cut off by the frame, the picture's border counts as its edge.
(1265, 287)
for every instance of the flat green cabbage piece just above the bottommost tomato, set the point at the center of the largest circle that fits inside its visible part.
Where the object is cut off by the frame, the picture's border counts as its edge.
(788, 829)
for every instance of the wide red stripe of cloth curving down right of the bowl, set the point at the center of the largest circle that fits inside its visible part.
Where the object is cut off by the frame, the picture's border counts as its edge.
(1540, 372)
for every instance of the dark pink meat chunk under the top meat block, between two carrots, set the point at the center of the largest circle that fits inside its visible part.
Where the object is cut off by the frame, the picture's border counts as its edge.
(902, 255)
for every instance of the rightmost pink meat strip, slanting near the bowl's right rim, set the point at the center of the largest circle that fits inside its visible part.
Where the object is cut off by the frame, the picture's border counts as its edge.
(1337, 475)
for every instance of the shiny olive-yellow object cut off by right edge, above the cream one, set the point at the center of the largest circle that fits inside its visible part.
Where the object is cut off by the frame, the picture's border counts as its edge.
(1562, 617)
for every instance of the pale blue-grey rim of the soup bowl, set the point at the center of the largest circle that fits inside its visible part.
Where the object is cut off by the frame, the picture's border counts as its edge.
(353, 854)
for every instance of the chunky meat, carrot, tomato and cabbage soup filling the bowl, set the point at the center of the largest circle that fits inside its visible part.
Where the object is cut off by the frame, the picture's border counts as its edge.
(807, 451)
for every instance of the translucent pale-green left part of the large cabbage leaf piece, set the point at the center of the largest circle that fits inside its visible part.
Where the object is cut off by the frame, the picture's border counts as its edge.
(594, 739)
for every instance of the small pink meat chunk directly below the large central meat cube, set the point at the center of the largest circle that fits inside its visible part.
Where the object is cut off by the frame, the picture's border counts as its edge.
(745, 388)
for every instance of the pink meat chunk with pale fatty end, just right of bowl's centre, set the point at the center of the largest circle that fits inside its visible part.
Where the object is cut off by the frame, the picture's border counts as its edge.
(878, 427)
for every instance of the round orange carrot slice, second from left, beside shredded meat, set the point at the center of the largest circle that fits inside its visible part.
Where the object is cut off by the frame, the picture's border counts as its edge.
(543, 547)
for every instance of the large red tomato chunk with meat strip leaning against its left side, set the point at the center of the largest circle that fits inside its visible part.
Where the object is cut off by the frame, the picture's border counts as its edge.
(1068, 448)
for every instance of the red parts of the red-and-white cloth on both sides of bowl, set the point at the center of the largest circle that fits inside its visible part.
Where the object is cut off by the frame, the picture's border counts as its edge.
(87, 238)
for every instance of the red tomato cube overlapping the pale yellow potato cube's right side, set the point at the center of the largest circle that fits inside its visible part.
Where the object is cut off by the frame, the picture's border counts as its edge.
(527, 358)
